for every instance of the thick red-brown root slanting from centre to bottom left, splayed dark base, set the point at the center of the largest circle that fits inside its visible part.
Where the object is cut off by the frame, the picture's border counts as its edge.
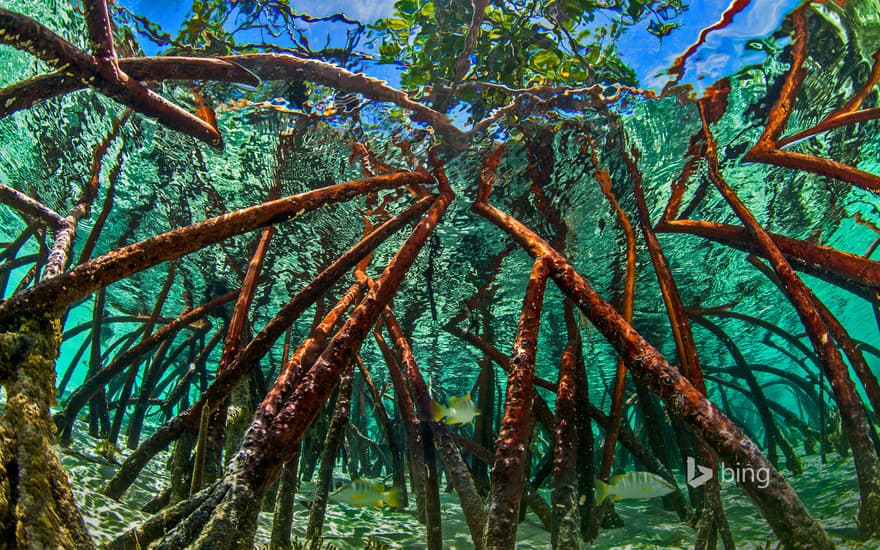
(276, 431)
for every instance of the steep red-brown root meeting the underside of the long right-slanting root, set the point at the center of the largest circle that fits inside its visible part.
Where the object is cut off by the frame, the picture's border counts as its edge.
(508, 473)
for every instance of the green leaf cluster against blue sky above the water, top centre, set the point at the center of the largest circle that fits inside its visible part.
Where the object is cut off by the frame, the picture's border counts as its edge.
(521, 44)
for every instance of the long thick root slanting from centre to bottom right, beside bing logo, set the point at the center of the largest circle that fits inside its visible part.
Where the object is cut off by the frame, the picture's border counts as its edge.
(781, 506)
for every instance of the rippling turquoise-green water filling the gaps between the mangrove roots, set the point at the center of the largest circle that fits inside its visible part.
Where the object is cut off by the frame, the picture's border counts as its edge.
(167, 180)
